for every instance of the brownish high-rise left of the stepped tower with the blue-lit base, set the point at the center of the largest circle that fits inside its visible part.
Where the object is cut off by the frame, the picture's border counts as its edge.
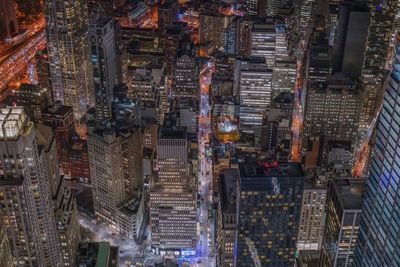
(115, 168)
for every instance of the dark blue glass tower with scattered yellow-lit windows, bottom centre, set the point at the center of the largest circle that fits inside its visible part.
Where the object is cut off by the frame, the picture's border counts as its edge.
(269, 213)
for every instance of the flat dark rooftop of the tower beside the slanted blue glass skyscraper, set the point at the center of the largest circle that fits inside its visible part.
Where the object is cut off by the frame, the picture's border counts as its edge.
(350, 192)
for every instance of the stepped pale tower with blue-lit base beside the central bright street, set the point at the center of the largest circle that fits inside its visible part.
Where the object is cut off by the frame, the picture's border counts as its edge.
(172, 199)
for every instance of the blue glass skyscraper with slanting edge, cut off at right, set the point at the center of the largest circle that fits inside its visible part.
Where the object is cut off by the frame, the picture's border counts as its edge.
(378, 242)
